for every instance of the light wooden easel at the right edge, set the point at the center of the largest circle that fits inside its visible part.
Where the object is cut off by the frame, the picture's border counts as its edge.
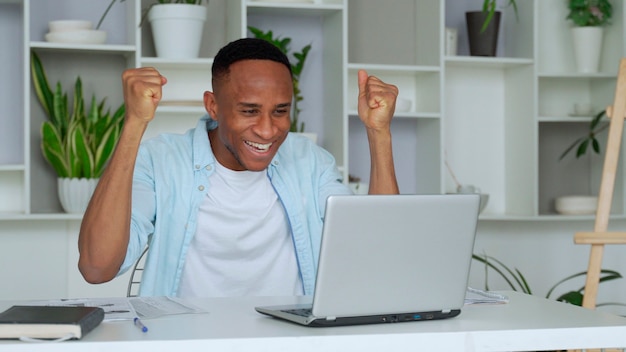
(600, 237)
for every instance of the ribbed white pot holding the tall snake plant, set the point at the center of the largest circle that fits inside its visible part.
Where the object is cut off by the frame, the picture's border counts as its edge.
(75, 193)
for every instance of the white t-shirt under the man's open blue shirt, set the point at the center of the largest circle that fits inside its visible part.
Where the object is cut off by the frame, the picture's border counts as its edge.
(243, 245)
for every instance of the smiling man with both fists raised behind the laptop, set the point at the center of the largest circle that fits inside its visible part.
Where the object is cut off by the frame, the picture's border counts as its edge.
(234, 206)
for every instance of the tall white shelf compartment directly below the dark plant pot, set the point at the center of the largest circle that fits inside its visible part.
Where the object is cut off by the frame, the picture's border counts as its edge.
(487, 119)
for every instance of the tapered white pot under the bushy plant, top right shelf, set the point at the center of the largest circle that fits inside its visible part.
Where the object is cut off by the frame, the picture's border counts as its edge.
(587, 48)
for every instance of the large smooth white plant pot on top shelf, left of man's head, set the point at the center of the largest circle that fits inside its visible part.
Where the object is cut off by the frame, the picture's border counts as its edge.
(177, 29)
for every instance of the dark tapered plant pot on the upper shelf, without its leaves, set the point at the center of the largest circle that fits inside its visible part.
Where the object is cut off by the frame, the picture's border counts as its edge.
(482, 43)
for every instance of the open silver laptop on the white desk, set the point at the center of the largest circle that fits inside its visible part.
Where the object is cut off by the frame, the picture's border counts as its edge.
(388, 259)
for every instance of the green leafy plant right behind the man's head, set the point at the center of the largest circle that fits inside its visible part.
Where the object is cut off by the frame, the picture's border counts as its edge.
(283, 43)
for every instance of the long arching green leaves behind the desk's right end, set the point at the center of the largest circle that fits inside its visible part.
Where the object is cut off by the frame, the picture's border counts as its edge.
(517, 282)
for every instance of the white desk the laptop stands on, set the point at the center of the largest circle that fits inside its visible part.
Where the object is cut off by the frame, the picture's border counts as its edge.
(525, 323)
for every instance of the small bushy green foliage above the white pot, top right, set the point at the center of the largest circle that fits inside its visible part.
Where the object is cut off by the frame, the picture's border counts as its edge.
(584, 13)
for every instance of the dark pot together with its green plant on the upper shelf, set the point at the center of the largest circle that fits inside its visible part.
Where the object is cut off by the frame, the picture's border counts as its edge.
(483, 28)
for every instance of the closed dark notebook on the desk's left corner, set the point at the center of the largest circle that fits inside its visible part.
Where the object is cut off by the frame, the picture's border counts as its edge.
(49, 322)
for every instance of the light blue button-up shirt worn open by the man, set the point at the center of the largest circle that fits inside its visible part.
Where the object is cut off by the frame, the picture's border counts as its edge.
(171, 178)
